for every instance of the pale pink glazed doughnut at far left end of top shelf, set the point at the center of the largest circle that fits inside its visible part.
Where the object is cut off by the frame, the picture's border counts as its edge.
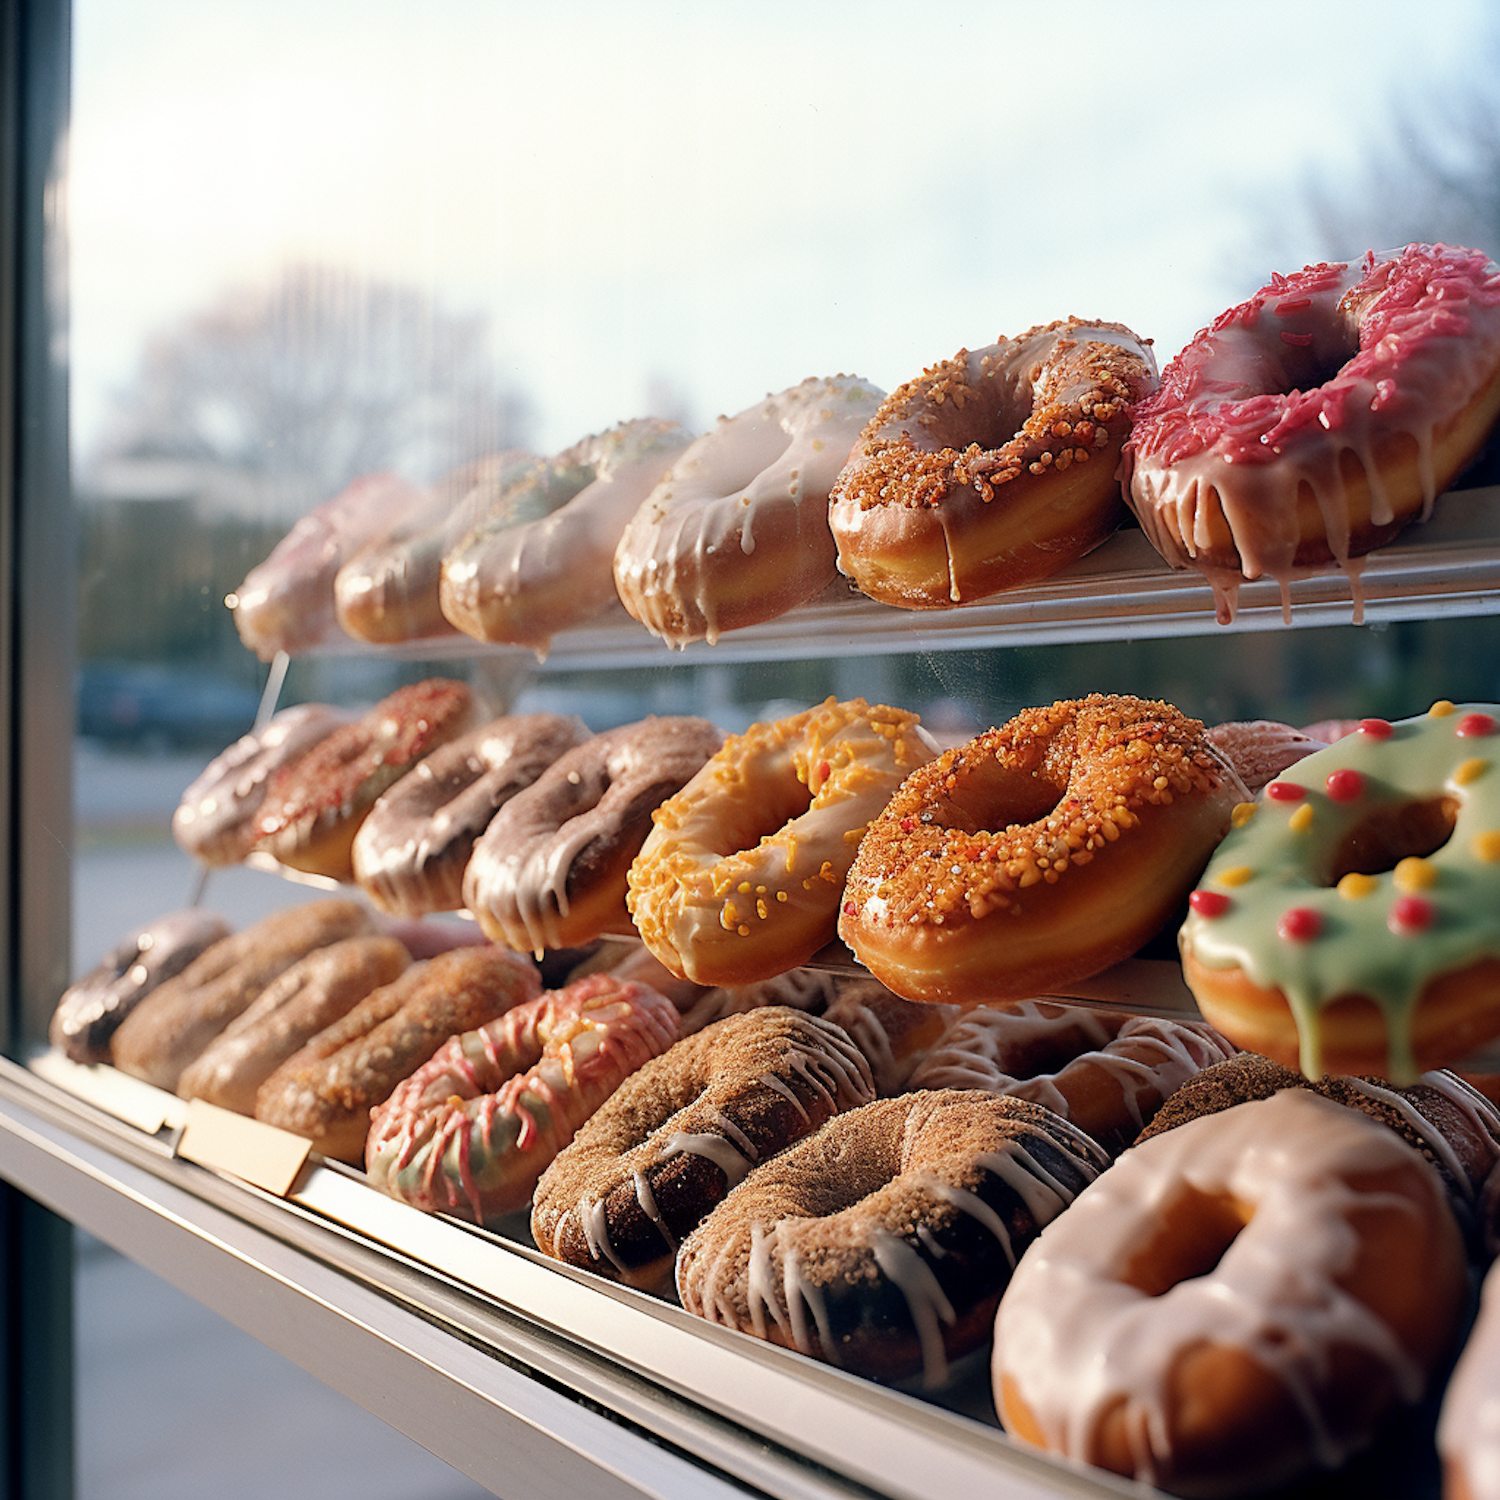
(286, 604)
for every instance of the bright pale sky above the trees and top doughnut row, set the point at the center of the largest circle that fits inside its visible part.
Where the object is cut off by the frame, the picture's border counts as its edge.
(715, 197)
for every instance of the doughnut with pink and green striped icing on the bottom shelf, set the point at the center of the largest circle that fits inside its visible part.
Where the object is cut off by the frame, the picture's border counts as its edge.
(473, 1127)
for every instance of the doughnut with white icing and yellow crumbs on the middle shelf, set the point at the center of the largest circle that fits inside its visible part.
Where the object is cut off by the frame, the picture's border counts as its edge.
(742, 877)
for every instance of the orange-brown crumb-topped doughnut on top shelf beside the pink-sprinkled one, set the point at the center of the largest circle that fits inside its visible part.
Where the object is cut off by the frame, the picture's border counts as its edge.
(994, 469)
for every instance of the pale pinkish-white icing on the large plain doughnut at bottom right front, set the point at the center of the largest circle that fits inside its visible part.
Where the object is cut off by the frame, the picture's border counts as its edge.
(1078, 1340)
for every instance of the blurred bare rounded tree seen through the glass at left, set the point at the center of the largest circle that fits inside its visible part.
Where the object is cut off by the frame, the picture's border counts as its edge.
(317, 379)
